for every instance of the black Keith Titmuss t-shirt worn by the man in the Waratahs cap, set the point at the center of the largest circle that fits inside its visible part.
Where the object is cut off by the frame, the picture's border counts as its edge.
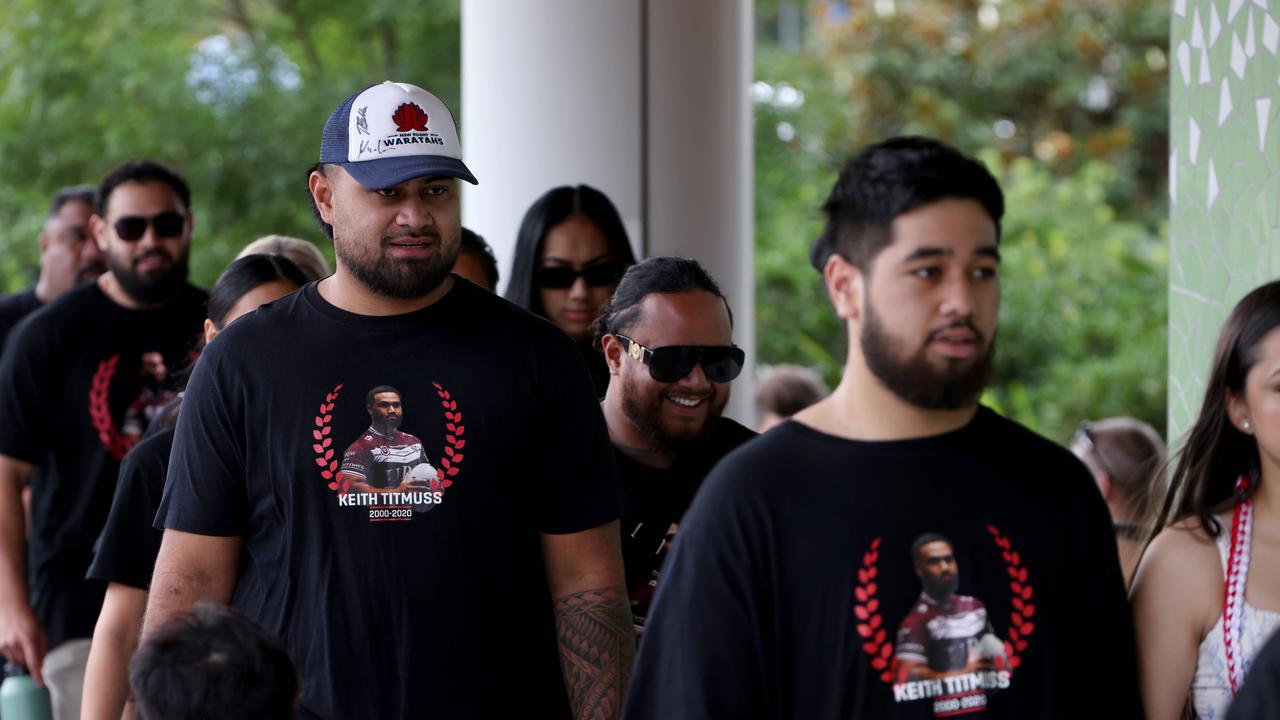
(431, 600)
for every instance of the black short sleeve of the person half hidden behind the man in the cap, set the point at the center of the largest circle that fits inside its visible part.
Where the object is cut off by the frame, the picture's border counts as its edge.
(126, 552)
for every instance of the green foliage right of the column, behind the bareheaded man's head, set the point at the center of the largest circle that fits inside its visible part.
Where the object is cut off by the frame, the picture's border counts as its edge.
(1068, 106)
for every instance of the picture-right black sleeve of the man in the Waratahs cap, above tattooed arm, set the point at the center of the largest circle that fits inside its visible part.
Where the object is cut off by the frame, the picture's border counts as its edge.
(582, 487)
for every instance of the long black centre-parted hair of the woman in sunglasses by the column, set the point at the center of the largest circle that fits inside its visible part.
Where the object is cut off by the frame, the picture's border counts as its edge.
(550, 211)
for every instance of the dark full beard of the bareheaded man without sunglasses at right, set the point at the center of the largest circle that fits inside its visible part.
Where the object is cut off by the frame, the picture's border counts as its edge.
(917, 381)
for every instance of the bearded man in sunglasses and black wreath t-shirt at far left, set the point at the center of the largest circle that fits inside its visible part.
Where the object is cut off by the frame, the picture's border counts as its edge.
(68, 376)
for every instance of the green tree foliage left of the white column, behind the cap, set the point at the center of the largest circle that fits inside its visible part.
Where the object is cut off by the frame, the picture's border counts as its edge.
(232, 93)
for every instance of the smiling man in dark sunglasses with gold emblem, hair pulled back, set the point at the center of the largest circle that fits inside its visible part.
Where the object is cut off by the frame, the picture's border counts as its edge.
(668, 339)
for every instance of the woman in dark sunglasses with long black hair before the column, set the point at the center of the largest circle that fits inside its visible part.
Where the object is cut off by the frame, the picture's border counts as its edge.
(570, 254)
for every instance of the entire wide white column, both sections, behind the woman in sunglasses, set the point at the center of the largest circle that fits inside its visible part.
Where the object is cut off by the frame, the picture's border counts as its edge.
(648, 101)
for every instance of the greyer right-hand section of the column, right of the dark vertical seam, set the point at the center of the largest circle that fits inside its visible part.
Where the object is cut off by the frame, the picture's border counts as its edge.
(701, 163)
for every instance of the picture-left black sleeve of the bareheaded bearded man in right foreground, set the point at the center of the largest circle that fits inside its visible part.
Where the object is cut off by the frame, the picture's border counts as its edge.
(710, 634)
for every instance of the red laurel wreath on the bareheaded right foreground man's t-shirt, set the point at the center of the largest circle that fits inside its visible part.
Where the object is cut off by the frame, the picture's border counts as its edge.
(871, 622)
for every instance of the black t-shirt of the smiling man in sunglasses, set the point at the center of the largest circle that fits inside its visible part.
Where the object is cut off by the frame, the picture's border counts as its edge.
(659, 498)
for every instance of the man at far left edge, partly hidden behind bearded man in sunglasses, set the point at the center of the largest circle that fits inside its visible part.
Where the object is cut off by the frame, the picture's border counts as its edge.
(68, 257)
